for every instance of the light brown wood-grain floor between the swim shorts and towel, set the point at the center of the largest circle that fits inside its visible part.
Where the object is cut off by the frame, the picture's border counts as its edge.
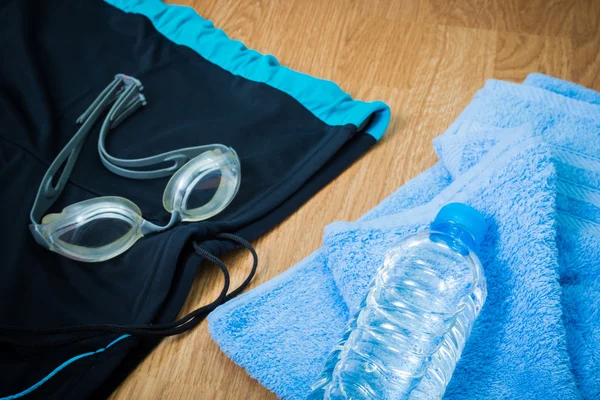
(426, 59)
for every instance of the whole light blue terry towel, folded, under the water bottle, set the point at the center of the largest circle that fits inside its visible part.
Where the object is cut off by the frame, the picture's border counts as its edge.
(539, 332)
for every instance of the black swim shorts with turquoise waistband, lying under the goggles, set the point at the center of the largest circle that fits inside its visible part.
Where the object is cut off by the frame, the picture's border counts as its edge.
(59, 56)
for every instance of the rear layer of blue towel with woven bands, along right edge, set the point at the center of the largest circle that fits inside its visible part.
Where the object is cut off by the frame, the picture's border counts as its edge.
(572, 128)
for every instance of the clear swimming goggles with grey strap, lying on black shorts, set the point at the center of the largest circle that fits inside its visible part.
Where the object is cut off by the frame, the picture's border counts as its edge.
(205, 179)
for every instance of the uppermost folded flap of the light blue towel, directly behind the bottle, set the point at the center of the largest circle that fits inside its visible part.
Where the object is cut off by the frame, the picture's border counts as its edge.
(519, 336)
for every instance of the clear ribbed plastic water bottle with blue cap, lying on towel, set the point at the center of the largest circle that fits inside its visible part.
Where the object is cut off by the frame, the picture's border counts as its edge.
(408, 334)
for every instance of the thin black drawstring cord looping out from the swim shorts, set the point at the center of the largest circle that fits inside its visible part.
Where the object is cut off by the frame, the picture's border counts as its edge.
(181, 325)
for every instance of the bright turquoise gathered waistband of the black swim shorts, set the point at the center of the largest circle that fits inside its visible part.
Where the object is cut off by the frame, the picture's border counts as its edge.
(326, 100)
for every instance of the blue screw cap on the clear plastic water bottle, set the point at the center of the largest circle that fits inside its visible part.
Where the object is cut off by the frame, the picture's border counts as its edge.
(465, 216)
